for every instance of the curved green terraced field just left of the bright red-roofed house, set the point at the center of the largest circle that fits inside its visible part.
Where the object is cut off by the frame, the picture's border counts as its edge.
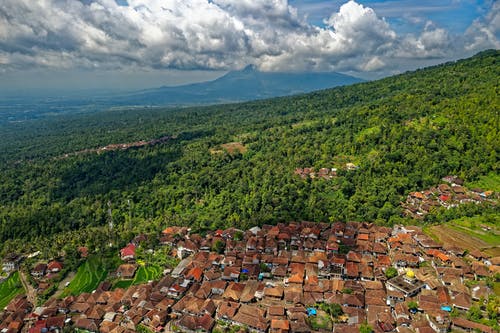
(87, 278)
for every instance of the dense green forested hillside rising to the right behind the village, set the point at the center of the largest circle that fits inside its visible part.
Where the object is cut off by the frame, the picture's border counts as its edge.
(402, 134)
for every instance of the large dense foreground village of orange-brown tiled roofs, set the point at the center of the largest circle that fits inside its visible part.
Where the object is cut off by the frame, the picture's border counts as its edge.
(290, 277)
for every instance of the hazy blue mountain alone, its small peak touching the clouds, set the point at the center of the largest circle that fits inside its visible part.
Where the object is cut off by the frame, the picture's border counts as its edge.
(243, 85)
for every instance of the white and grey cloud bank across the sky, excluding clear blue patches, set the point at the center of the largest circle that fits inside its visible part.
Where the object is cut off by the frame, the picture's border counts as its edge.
(217, 34)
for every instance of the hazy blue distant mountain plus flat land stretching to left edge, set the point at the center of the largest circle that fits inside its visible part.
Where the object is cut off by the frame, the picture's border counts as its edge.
(236, 86)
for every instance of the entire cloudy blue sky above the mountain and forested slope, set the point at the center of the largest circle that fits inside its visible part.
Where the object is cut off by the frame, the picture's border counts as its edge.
(51, 45)
